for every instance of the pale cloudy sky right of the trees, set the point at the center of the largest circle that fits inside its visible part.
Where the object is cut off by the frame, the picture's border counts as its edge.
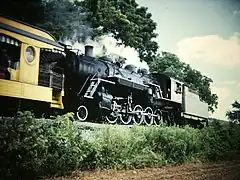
(205, 34)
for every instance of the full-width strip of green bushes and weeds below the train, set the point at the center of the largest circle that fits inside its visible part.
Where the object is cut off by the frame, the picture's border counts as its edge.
(32, 147)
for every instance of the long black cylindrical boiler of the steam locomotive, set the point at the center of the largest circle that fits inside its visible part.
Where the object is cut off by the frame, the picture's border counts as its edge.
(83, 66)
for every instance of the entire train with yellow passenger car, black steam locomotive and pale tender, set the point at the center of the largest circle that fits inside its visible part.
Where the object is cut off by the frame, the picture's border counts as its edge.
(36, 72)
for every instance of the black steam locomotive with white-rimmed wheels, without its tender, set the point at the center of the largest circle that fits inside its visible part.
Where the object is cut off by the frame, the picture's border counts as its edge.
(98, 89)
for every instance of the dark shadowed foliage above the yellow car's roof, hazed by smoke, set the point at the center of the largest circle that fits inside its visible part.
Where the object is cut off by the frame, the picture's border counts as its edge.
(60, 17)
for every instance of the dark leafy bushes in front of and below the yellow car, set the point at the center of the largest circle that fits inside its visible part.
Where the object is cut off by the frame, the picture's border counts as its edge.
(31, 147)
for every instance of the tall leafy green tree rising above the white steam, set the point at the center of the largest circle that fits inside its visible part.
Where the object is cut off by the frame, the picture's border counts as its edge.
(128, 23)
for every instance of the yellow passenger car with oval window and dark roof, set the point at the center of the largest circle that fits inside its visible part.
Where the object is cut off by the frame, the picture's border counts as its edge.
(28, 75)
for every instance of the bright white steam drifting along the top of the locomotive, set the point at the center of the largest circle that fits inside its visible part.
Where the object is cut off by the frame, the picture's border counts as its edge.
(112, 47)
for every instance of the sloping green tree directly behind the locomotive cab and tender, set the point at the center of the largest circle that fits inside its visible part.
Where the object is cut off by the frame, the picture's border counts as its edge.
(169, 64)
